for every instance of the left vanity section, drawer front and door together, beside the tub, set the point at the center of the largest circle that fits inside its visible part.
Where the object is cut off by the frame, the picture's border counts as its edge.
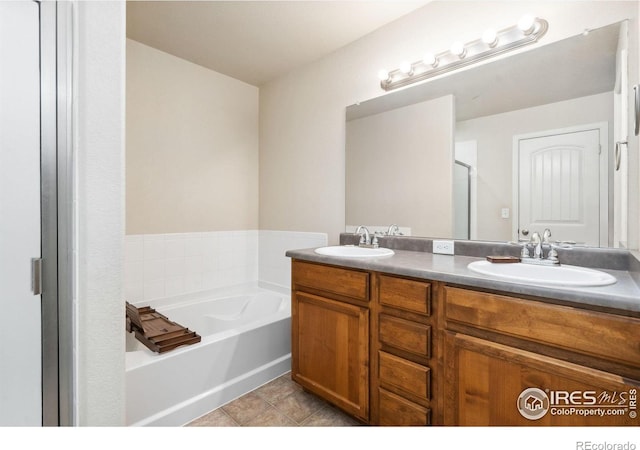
(330, 334)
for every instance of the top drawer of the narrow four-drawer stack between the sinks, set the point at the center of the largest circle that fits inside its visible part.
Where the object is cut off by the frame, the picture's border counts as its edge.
(409, 295)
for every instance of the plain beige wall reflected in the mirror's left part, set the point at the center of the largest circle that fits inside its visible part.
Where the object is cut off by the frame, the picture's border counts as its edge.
(405, 153)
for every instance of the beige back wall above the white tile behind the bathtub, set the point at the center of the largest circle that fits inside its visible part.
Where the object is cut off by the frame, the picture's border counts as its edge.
(192, 147)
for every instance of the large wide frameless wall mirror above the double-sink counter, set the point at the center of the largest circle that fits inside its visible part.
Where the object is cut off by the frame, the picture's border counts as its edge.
(466, 155)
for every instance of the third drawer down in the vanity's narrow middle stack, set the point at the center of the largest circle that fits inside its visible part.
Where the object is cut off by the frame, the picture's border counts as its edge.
(398, 374)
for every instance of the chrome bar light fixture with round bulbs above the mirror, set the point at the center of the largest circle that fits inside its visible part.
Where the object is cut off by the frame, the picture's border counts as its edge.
(527, 31)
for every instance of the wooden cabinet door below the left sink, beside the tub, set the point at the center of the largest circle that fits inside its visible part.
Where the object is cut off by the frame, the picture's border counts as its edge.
(330, 351)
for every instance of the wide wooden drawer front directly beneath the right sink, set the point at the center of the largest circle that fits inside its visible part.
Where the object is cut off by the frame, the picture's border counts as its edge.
(588, 332)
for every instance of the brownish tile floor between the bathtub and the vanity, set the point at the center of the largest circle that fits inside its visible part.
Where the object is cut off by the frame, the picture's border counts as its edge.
(279, 403)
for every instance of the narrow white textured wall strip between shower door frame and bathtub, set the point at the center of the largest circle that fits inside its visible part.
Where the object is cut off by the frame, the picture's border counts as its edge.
(99, 30)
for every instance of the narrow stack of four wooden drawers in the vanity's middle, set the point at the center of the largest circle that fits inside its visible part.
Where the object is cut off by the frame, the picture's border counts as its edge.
(402, 351)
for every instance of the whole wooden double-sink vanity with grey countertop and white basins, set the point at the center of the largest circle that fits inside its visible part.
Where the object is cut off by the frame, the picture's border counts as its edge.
(398, 335)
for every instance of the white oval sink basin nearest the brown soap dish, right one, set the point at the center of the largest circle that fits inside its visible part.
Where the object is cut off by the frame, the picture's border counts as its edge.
(562, 275)
